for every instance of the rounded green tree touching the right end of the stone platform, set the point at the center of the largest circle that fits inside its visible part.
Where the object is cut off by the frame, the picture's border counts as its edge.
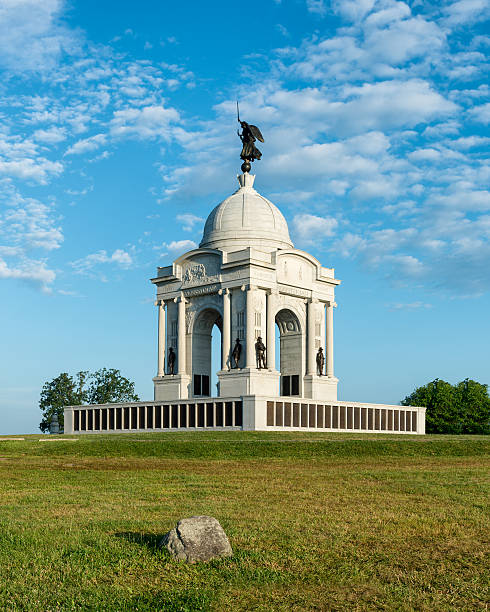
(438, 397)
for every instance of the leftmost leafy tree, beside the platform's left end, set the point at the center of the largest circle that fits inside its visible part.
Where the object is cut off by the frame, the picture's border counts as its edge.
(64, 390)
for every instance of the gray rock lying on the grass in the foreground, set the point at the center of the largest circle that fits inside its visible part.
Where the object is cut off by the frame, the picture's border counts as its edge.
(199, 538)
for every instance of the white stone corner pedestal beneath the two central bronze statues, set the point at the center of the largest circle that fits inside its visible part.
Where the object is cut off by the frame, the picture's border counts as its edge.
(248, 381)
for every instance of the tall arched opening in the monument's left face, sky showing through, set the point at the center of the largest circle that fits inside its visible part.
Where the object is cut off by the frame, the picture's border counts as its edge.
(206, 352)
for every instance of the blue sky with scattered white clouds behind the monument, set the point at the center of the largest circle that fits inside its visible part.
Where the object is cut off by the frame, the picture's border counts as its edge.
(118, 137)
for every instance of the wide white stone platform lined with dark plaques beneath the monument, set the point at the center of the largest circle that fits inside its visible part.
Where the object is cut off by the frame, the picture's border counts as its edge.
(246, 413)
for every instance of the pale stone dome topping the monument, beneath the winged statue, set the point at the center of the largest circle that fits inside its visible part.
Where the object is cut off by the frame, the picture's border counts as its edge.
(246, 219)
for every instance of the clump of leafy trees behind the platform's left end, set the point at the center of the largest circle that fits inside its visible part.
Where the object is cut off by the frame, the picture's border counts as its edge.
(104, 386)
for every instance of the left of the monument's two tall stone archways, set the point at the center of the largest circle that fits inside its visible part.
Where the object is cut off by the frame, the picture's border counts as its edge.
(201, 349)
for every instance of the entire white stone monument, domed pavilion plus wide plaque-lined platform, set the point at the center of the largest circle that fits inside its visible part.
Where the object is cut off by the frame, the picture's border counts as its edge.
(246, 277)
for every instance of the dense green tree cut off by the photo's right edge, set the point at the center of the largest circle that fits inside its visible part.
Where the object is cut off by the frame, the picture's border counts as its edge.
(473, 404)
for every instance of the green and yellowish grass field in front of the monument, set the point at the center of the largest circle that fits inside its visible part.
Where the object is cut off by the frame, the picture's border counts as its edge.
(316, 521)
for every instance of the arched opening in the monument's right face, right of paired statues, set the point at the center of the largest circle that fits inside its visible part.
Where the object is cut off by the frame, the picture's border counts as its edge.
(290, 353)
